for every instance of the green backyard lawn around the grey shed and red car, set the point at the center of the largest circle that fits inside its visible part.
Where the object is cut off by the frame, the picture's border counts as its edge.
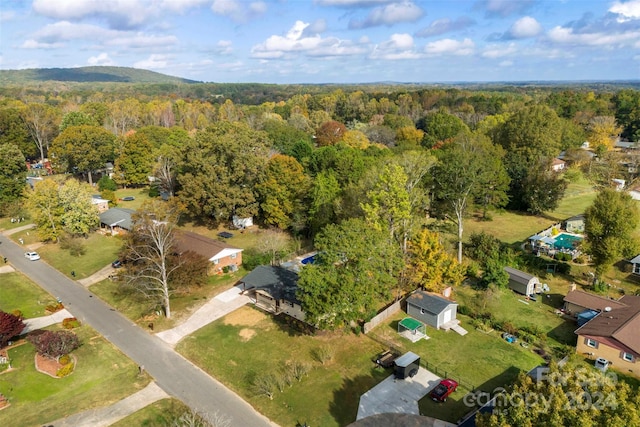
(476, 360)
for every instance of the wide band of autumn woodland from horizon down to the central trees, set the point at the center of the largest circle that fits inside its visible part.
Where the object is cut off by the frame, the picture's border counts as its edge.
(340, 166)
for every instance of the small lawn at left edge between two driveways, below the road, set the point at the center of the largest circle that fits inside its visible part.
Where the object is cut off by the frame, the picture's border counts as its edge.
(17, 292)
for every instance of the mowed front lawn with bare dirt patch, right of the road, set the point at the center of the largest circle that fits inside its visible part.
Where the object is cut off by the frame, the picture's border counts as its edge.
(248, 343)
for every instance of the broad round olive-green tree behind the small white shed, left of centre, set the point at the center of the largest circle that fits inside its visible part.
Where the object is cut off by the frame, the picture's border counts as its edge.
(222, 166)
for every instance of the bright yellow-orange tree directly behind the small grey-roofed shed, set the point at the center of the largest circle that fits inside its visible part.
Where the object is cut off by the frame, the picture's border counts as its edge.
(430, 266)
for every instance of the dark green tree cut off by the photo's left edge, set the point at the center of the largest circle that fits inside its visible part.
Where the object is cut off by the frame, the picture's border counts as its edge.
(13, 172)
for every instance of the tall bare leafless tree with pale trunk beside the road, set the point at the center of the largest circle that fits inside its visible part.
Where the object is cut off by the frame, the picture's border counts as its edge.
(149, 247)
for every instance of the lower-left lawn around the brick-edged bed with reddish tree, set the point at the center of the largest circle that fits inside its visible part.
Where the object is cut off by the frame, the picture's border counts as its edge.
(103, 376)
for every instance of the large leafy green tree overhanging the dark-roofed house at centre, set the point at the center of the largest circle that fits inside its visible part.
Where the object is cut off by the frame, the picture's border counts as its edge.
(355, 271)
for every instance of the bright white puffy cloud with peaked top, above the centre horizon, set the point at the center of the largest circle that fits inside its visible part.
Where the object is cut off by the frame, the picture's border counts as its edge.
(294, 42)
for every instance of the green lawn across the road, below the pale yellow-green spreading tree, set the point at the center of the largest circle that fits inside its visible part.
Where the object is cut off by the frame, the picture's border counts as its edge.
(100, 251)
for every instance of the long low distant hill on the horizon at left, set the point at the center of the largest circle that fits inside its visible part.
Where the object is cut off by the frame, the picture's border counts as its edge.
(87, 74)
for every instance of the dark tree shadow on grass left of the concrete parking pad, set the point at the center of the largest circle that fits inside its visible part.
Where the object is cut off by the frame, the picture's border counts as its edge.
(344, 407)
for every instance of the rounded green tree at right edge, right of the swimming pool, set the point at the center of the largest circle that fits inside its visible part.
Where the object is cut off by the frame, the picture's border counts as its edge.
(610, 224)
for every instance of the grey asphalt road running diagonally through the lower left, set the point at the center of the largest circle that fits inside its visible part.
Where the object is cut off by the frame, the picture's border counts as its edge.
(172, 372)
